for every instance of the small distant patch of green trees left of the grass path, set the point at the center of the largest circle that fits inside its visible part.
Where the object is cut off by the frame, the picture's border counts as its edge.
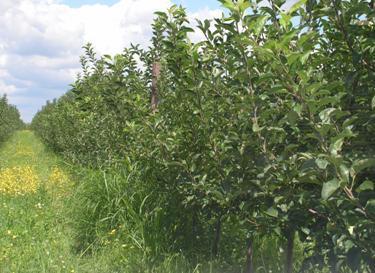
(10, 119)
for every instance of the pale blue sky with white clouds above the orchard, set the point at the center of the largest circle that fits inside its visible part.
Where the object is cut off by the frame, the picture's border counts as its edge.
(41, 40)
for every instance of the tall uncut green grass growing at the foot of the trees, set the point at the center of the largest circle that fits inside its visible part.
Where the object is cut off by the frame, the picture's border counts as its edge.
(121, 222)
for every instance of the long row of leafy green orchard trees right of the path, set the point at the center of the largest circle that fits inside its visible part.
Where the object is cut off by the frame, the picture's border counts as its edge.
(263, 132)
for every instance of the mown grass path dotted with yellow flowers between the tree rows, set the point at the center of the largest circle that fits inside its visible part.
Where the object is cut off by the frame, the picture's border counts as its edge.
(34, 226)
